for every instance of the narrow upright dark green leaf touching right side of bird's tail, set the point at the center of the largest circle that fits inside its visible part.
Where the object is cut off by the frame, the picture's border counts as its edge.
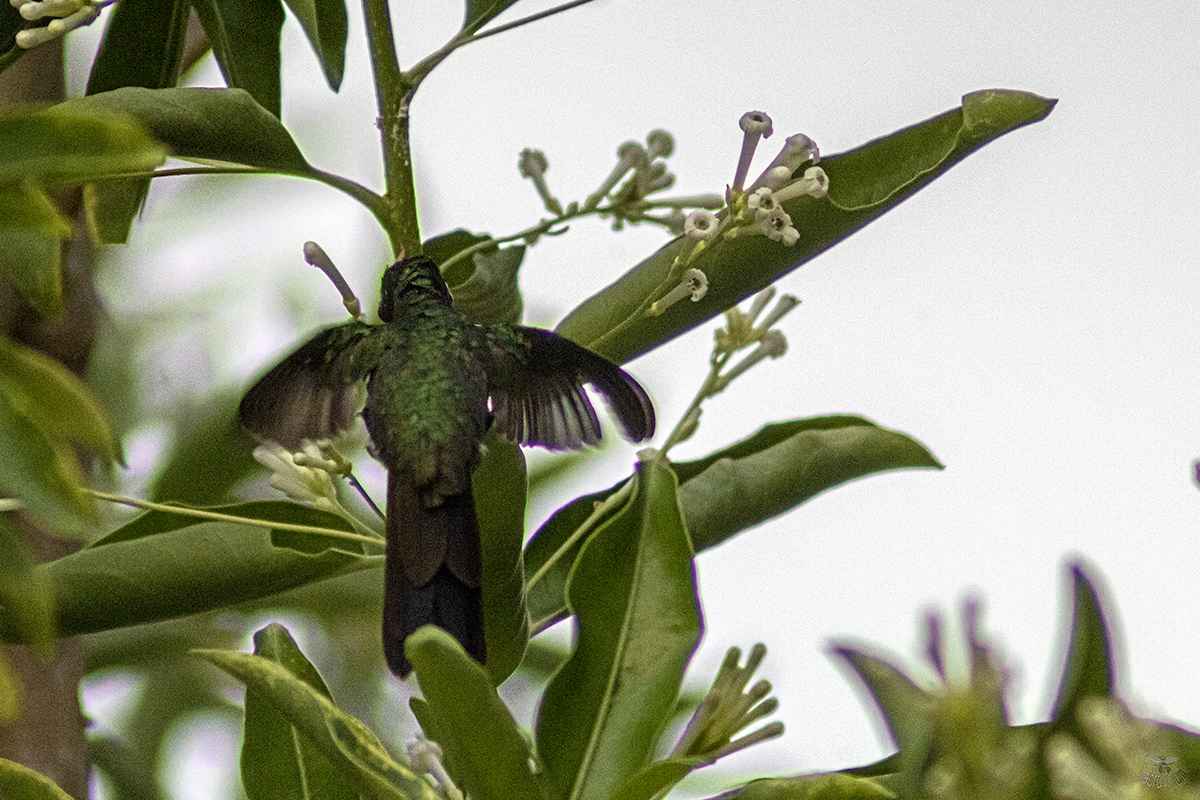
(500, 489)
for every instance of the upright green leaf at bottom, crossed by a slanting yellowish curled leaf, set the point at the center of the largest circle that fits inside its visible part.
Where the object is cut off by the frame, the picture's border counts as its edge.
(277, 760)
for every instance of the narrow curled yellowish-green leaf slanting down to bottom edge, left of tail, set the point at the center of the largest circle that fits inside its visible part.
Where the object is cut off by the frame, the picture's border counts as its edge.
(338, 736)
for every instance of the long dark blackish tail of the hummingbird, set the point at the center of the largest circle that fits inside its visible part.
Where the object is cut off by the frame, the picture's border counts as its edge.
(433, 574)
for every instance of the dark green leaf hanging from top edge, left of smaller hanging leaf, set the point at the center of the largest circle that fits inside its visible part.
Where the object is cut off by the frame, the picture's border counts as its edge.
(245, 37)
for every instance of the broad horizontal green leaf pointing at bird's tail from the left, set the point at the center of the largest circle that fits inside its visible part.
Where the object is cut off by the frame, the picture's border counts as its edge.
(188, 572)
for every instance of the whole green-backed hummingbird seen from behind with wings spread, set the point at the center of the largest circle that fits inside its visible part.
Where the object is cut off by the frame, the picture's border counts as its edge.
(436, 382)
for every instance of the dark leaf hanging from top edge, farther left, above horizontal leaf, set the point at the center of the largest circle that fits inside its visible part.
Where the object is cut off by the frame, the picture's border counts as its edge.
(143, 46)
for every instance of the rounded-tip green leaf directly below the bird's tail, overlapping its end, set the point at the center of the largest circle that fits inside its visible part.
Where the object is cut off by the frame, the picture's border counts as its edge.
(472, 725)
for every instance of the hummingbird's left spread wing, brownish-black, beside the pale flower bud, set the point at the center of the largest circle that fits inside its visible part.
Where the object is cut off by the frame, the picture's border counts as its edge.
(315, 393)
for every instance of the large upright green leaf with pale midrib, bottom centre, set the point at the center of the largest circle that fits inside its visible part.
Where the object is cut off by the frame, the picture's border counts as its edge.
(638, 623)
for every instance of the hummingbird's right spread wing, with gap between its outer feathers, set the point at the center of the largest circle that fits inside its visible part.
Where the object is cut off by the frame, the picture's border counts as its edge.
(536, 380)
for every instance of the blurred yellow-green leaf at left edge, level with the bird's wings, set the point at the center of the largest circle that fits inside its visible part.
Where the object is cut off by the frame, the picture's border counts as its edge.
(57, 400)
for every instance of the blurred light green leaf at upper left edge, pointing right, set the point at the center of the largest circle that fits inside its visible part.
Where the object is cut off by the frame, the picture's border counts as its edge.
(71, 145)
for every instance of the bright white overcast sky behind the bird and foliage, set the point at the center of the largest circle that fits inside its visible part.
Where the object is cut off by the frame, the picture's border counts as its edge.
(1031, 317)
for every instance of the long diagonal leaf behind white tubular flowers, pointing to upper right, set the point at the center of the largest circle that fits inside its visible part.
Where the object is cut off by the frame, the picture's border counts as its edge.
(863, 185)
